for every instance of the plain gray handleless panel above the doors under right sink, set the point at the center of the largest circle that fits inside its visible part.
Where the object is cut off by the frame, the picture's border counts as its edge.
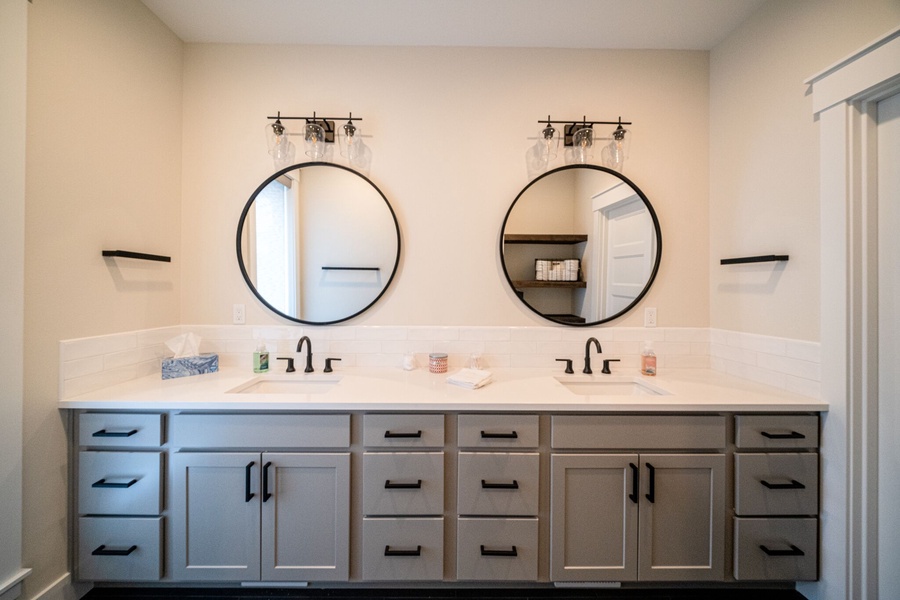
(629, 432)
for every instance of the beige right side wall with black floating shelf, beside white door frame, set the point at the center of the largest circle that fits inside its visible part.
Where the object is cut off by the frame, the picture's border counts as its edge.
(764, 177)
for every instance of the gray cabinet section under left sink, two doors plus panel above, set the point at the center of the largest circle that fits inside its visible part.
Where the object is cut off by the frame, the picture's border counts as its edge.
(266, 511)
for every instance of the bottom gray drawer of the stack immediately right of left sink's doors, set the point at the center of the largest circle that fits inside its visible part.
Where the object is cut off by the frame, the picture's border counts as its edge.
(403, 549)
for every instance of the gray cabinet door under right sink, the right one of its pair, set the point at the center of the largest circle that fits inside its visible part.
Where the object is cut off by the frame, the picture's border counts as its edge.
(682, 525)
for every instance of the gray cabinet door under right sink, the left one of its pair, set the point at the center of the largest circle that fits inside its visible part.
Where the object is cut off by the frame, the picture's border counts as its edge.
(593, 517)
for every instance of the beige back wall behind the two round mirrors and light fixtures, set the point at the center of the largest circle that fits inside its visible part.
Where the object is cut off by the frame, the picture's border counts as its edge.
(450, 128)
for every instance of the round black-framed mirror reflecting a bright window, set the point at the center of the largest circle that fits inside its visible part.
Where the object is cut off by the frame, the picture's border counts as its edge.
(318, 243)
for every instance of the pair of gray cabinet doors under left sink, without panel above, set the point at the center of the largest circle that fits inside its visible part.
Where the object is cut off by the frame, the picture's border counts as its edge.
(274, 516)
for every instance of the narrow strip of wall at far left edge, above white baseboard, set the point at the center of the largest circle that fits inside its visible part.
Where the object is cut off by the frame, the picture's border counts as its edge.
(13, 27)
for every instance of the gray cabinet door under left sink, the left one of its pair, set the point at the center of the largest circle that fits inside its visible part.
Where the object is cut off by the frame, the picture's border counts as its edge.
(215, 516)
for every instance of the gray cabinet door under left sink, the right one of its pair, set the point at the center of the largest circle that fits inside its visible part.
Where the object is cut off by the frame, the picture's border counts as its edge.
(306, 517)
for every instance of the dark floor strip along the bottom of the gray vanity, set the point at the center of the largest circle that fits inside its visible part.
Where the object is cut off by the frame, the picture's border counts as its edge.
(437, 594)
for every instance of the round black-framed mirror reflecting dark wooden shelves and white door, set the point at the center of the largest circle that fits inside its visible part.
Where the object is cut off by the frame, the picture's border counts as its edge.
(580, 245)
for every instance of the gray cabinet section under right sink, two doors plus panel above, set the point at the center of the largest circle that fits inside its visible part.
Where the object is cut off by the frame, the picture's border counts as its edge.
(637, 516)
